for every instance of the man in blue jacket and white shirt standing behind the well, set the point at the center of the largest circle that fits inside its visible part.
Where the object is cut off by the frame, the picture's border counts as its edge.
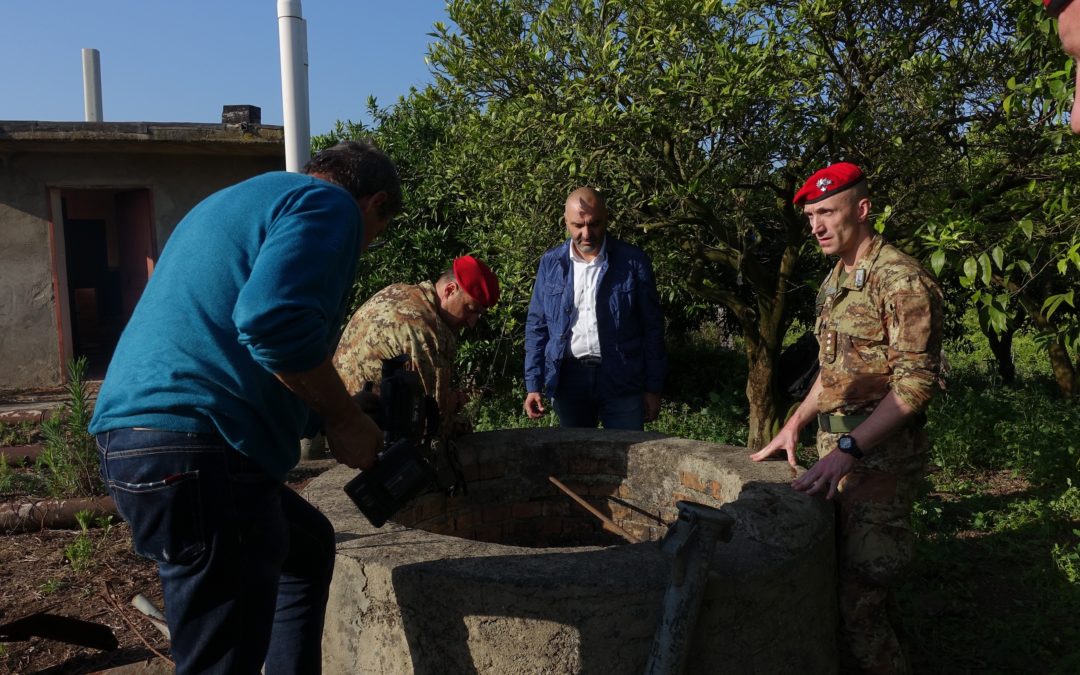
(595, 339)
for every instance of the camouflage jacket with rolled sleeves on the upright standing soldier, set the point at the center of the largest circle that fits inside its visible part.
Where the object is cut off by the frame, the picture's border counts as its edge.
(879, 330)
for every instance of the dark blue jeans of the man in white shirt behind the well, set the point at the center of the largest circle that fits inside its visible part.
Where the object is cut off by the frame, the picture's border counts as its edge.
(579, 402)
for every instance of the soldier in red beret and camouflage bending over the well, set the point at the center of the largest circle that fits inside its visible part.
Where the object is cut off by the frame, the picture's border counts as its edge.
(423, 321)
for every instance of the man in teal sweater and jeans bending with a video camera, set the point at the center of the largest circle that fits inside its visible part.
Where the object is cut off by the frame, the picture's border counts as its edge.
(210, 390)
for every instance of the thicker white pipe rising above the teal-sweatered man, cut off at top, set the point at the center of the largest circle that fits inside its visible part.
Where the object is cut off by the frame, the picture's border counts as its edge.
(293, 37)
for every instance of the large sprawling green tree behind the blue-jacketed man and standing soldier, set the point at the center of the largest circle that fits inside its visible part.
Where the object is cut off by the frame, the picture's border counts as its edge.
(698, 121)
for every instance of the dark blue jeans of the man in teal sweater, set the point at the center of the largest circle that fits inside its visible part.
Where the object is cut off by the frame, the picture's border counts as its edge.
(246, 563)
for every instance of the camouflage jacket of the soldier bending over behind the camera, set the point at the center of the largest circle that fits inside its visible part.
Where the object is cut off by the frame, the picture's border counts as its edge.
(400, 319)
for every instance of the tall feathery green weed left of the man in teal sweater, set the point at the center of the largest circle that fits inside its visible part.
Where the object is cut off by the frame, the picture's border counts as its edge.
(69, 463)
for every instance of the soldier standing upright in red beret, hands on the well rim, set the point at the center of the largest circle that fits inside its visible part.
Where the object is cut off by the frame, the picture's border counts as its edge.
(880, 330)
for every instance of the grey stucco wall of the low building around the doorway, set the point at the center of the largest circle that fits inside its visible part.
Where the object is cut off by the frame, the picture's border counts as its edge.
(30, 344)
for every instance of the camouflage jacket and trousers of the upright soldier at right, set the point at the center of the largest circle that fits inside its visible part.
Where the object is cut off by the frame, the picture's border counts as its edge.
(880, 330)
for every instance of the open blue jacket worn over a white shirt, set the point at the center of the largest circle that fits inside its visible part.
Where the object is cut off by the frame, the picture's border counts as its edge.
(630, 321)
